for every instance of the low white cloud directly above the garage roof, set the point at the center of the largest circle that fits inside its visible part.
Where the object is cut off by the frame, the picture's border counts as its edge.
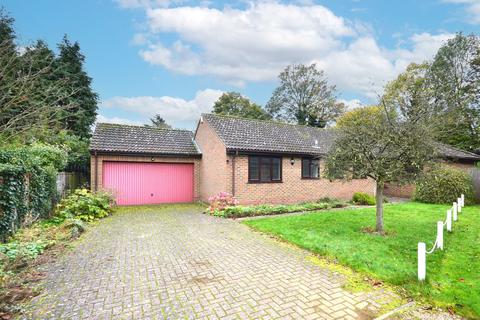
(176, 111)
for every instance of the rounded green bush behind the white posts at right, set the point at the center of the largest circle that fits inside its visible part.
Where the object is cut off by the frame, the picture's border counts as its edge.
(444, 184)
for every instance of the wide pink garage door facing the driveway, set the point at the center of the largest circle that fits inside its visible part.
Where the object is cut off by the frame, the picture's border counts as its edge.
(148, 183)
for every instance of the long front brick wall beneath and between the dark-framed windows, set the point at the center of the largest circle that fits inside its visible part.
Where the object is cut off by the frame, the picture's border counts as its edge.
(293, 188)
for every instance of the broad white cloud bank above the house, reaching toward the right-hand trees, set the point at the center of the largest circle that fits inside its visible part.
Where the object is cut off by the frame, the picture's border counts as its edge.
(255, 43)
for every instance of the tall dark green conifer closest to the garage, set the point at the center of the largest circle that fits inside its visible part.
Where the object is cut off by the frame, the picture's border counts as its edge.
(82, 111)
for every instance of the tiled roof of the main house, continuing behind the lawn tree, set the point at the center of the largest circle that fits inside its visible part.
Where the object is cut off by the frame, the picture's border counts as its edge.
(250, 135)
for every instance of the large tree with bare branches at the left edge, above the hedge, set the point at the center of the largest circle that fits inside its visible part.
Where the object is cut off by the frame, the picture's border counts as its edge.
(26, 103)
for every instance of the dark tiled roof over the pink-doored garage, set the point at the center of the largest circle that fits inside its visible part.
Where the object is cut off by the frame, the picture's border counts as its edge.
(117, 138)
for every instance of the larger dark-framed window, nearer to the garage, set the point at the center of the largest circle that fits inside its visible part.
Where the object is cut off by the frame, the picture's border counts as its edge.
(264, 169)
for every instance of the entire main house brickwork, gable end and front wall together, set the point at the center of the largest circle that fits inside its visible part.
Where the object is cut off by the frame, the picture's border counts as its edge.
(216, 175)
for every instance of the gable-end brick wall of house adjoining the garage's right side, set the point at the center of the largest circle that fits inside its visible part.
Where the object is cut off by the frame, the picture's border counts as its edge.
(214, 169)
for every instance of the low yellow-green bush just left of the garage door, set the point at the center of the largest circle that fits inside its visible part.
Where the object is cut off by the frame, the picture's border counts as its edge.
(86, 206)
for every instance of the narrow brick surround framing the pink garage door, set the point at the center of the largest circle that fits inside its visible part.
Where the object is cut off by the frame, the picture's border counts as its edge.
(156, 159)
